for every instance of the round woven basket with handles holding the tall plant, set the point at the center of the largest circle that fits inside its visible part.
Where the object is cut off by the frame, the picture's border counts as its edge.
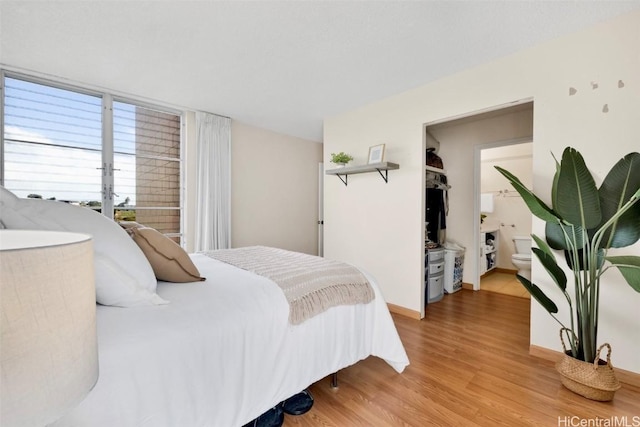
(595, 381)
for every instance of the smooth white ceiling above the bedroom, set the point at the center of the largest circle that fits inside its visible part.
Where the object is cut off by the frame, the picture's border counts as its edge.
(278, 65)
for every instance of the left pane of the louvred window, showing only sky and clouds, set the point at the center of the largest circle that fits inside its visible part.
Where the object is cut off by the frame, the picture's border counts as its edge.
(52, 143)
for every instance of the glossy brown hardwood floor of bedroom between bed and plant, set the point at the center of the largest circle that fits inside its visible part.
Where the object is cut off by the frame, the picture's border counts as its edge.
(470, 366)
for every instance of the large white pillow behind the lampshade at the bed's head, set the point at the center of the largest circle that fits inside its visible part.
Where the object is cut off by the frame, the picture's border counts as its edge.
(124, 276)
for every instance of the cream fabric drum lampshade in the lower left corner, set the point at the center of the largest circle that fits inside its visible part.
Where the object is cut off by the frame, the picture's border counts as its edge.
(48, 348)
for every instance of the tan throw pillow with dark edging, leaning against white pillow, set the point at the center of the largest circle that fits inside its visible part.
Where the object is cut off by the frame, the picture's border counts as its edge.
(169, 261)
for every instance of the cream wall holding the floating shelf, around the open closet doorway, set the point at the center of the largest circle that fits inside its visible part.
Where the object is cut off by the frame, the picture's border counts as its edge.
(378, 226)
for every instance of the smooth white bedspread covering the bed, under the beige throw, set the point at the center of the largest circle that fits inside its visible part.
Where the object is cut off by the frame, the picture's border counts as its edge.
(222, 352)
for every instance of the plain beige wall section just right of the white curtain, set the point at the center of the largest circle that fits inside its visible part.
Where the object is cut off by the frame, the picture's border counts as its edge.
(274, 189)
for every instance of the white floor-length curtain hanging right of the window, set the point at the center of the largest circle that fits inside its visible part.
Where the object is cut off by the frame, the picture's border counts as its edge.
(213, 185)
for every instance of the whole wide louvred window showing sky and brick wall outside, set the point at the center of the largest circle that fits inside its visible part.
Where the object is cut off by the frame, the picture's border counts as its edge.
(112, 155)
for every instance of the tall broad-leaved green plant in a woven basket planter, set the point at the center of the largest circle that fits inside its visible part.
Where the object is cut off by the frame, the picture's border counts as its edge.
(584, 222)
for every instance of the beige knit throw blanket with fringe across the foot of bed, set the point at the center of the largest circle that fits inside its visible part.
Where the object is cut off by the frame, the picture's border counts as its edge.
(310, 283)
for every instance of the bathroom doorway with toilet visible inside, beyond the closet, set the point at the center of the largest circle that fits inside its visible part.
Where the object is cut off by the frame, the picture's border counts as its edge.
(504, 215)
